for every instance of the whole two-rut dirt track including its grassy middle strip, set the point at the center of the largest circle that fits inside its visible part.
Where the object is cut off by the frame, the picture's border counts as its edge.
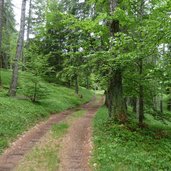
(75, 145)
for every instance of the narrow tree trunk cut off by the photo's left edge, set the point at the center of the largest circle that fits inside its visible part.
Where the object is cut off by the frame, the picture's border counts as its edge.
(1, 27)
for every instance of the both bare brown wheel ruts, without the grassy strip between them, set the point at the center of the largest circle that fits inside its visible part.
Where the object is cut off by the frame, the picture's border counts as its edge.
(79, 130)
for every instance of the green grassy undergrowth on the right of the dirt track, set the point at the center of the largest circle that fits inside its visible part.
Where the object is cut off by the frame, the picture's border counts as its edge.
(128, 148)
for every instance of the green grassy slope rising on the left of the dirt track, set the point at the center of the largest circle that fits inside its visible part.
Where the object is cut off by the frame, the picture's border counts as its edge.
(17, 115)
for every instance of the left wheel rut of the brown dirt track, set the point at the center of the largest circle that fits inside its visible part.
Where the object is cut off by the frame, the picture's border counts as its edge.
(11, 157)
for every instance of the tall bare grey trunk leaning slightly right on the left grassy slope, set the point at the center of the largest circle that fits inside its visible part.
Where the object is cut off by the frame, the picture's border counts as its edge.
(14, 81)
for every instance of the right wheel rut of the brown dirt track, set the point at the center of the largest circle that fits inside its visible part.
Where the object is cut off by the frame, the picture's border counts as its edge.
(76, 149)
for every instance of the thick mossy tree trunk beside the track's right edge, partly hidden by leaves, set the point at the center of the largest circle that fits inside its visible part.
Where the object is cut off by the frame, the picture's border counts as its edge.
(117, 107)
